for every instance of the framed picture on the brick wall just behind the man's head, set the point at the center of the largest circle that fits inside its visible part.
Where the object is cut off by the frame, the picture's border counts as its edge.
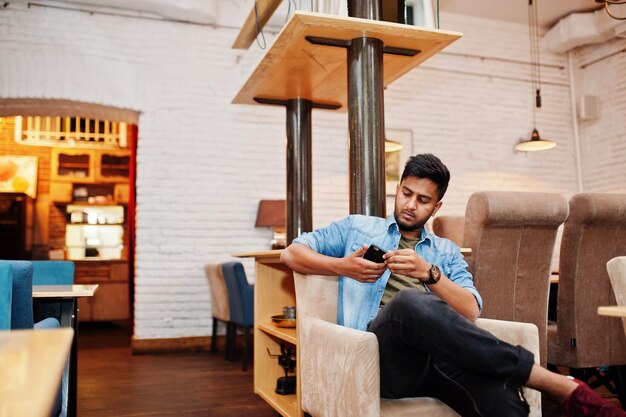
(398, 150)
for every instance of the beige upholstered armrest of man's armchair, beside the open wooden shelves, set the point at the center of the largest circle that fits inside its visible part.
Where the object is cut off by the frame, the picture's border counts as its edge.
(339, 370)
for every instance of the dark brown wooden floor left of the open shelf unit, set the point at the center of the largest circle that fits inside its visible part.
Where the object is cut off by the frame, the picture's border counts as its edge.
(112, 382)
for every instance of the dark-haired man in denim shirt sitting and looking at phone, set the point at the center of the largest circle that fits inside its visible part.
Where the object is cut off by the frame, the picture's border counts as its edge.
(420, 302)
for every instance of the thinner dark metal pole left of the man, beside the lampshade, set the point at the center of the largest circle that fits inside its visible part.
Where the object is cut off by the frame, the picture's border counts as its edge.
(299, 200)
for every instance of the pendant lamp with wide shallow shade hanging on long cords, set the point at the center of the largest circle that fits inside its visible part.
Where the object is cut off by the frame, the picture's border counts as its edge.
(535, 143)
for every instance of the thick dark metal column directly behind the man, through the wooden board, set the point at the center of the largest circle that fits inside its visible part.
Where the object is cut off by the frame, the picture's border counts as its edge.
(366, 116)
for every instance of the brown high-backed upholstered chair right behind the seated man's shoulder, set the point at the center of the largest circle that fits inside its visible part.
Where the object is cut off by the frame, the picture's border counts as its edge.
(512, 237)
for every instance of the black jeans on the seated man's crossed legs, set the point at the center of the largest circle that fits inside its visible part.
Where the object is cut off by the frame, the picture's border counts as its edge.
(427, 349)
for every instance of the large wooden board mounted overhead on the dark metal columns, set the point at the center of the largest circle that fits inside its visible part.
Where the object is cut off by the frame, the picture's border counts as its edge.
(294, 68)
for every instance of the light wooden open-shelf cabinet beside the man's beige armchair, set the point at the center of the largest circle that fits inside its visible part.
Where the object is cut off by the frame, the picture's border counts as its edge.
(273, 289)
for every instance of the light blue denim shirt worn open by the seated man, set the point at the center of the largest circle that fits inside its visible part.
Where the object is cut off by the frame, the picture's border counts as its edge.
(359, 302)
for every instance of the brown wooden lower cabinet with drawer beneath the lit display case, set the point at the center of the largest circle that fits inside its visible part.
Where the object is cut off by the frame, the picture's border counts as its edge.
(111, 301)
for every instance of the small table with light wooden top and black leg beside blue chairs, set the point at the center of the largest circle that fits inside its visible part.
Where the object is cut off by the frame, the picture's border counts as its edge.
(66, 295)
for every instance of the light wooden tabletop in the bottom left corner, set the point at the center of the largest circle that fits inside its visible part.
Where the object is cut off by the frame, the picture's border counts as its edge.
(31, 365)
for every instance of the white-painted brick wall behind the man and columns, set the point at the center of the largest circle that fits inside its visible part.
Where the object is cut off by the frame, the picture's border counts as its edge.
(203, 163)
